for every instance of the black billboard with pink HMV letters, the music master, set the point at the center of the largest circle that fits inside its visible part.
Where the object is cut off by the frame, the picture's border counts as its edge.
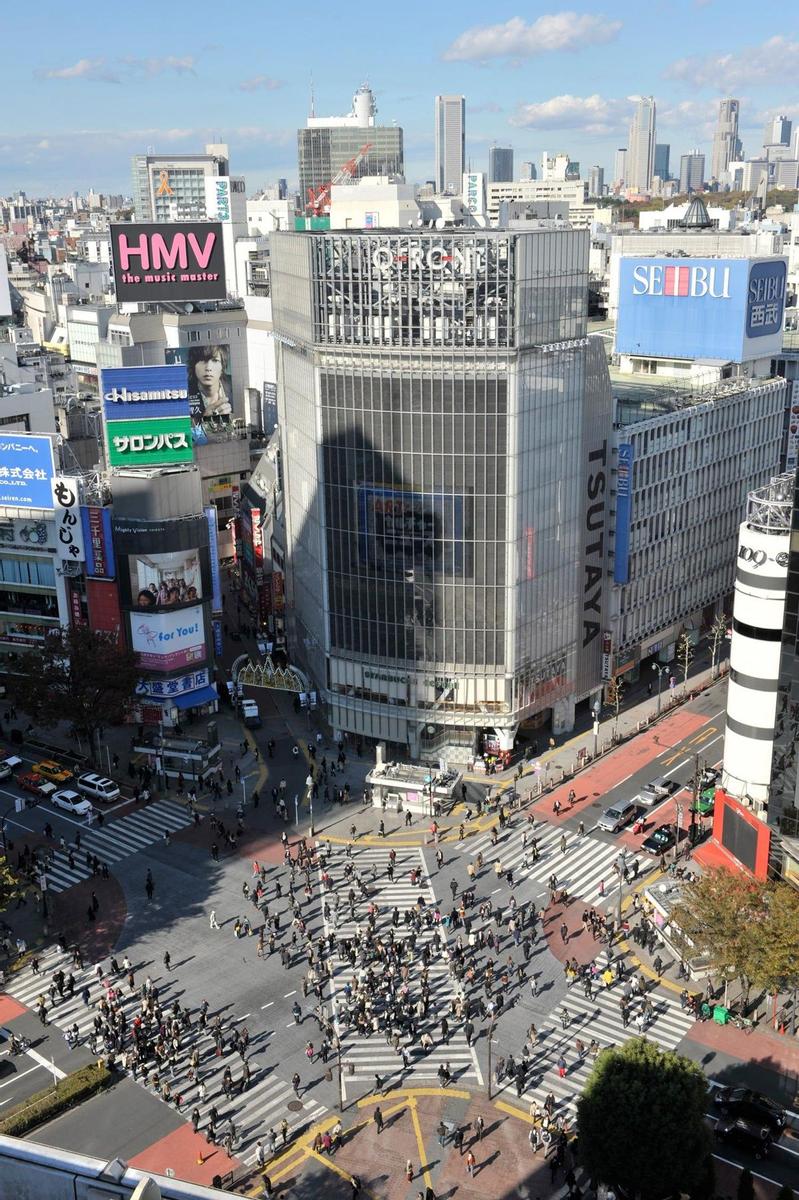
(169, 262)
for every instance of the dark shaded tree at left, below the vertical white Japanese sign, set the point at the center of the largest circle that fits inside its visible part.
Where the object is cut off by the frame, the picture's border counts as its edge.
(80, 676)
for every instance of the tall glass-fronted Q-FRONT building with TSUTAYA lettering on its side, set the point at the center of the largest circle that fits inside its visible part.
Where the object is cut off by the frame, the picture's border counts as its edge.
(447, 476)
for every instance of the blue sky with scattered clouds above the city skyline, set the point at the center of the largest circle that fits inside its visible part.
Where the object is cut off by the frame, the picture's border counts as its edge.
(83, 93)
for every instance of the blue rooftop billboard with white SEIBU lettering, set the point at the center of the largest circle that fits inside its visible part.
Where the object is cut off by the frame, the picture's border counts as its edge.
(723, 309)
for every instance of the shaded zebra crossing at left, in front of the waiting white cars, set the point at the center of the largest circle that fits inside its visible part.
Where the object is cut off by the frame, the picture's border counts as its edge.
(115, 842)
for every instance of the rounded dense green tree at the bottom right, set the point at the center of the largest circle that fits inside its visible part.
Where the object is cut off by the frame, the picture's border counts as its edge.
(641, 1121)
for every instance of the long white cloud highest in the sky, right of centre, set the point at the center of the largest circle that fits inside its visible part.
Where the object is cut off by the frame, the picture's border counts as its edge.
(519, 40)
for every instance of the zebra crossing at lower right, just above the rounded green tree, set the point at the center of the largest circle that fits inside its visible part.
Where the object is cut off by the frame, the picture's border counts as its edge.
(600, 1021)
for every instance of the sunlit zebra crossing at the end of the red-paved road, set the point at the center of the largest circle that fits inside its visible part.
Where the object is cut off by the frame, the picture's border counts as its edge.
(582, 865)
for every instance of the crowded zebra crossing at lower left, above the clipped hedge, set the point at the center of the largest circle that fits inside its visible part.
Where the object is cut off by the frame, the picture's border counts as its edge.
(262, 1106)
